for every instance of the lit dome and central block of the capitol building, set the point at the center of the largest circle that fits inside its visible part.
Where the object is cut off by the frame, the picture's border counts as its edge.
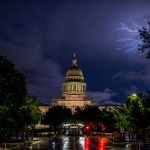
(73, 89)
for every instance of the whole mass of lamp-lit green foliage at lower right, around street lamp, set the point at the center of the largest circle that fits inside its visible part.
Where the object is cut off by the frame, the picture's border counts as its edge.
(134, 113)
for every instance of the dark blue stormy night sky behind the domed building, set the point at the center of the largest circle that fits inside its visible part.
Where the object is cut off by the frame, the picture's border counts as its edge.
(40, 37)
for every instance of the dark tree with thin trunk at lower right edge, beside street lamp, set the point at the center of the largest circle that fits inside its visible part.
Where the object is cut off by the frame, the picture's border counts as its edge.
(139, 106)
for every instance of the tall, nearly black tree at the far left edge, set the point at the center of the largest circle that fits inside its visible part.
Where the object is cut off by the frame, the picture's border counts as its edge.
(12, 93)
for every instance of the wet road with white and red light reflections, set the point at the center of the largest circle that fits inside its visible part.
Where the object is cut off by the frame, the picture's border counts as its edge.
(76, 143)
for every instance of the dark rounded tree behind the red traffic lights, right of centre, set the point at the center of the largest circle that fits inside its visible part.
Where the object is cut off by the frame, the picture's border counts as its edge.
(98, 120)
